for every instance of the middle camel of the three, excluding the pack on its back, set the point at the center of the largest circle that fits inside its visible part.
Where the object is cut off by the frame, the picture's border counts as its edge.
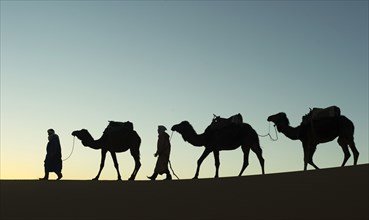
(229, 137)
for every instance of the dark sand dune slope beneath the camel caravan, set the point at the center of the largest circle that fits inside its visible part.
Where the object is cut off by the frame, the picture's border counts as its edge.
(335, 193)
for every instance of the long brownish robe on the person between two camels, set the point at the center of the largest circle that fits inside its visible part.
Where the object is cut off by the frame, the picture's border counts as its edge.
(163, 151)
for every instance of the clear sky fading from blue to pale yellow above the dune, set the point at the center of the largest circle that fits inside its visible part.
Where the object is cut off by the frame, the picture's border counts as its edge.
(69, 65)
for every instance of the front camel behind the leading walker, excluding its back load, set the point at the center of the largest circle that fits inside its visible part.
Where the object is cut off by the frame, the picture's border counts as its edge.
(116, 140)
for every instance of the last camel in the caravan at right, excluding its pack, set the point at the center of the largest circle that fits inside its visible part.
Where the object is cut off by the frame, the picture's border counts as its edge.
(312, 133)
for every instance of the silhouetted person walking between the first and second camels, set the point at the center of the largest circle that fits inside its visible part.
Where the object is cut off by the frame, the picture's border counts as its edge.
(163, 151)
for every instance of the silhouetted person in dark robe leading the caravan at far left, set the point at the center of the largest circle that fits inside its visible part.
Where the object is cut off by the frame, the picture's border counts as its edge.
(53, 161)
